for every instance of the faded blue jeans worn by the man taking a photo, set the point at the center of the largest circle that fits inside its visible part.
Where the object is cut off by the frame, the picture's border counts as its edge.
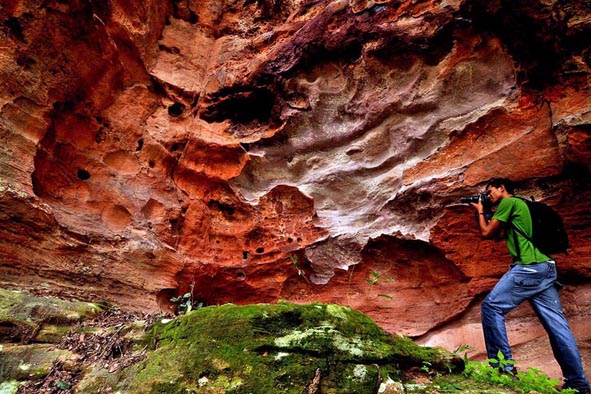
(536, 284)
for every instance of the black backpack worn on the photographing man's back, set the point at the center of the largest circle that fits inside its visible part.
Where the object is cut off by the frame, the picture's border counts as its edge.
(548, 233)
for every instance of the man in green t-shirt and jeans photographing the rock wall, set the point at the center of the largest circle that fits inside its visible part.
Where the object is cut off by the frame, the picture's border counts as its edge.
(532, 277)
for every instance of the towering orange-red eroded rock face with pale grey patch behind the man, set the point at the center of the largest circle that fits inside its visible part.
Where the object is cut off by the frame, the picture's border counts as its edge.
(309, 151)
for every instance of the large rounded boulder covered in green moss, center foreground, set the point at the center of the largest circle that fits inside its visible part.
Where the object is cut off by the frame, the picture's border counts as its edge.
(279, 348)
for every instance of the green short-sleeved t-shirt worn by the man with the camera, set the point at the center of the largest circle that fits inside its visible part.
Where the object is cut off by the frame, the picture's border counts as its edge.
(514, 210)
